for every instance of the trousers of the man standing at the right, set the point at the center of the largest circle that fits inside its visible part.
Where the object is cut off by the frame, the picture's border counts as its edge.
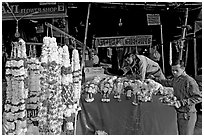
(186, 123)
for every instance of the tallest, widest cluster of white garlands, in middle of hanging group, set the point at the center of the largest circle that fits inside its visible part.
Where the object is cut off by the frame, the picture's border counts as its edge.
(50, 102)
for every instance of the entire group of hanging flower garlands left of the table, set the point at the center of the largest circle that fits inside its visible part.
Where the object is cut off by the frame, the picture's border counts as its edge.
(42, 94)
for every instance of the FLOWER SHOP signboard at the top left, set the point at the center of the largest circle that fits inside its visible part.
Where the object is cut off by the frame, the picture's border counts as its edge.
(26, 10)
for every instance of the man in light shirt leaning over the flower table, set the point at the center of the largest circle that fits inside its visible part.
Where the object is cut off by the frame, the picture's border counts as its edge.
(141, 67)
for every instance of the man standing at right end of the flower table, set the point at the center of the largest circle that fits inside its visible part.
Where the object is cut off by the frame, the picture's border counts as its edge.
(187, 92)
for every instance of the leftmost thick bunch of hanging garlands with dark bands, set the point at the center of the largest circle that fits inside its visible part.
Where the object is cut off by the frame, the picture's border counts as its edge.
(14, 116)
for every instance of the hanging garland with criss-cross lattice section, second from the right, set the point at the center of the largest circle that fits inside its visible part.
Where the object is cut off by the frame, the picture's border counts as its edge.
(67, 92)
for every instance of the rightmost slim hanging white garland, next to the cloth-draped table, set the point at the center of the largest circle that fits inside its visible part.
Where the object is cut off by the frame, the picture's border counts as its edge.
(77, 79)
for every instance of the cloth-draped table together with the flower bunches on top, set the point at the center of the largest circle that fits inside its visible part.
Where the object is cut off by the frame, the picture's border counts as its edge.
(123, 106)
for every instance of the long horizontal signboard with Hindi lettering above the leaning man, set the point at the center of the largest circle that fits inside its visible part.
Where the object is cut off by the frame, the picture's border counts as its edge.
(138, 40)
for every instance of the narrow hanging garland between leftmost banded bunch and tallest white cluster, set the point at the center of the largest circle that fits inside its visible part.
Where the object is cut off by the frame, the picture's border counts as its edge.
(34, 87)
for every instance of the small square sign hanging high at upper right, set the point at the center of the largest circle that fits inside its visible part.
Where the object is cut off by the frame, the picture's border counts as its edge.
(153, 19)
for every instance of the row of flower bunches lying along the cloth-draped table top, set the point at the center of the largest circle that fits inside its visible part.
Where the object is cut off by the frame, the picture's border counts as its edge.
(140, 91)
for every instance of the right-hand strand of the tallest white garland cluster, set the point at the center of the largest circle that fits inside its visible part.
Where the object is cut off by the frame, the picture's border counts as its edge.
(55, 106)
